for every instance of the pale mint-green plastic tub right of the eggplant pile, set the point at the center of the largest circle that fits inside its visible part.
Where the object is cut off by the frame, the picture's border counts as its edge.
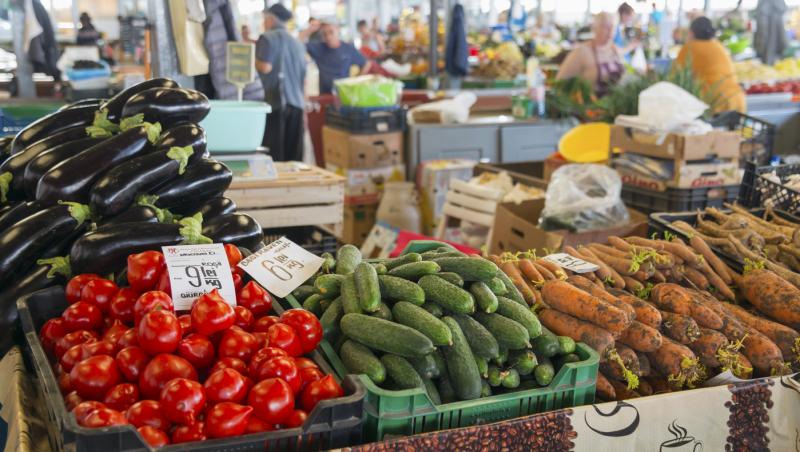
(233, 126)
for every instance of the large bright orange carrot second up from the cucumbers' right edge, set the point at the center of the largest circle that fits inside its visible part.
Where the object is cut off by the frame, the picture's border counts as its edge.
(567, 298)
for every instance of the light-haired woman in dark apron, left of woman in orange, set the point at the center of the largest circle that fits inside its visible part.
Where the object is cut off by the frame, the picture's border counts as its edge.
(597, 60)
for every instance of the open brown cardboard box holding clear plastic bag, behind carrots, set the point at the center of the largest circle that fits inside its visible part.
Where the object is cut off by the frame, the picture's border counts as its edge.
(516, 228)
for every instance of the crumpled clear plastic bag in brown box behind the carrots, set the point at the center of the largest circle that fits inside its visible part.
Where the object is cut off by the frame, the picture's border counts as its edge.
(583, 197)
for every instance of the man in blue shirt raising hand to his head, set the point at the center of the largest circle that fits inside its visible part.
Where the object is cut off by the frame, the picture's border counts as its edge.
(333, 57)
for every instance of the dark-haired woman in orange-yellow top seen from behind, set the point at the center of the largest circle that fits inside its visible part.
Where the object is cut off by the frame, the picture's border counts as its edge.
(711, 64)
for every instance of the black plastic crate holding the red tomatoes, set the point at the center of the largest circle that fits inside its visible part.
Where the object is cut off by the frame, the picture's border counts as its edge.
(332, 424)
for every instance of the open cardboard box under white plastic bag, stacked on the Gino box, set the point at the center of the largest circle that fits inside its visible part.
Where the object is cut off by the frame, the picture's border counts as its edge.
(714, 144)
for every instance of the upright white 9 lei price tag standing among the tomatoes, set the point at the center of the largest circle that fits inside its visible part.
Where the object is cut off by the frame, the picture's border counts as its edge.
(198, 269)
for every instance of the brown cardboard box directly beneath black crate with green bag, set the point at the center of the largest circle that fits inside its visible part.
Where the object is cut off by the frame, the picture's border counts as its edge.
(347, 150)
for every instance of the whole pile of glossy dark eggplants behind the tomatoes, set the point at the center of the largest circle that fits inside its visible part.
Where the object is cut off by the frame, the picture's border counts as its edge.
(97, 180)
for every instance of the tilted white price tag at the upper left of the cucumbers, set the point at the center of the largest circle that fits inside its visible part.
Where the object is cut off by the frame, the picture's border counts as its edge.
(281, 266)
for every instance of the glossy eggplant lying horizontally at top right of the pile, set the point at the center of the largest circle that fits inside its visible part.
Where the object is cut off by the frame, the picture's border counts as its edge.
(168, 106)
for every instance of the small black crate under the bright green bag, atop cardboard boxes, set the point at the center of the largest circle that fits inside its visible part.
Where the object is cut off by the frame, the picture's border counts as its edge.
(366, 120)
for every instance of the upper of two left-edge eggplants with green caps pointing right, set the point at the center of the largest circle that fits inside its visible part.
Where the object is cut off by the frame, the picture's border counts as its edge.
(26, 239)
